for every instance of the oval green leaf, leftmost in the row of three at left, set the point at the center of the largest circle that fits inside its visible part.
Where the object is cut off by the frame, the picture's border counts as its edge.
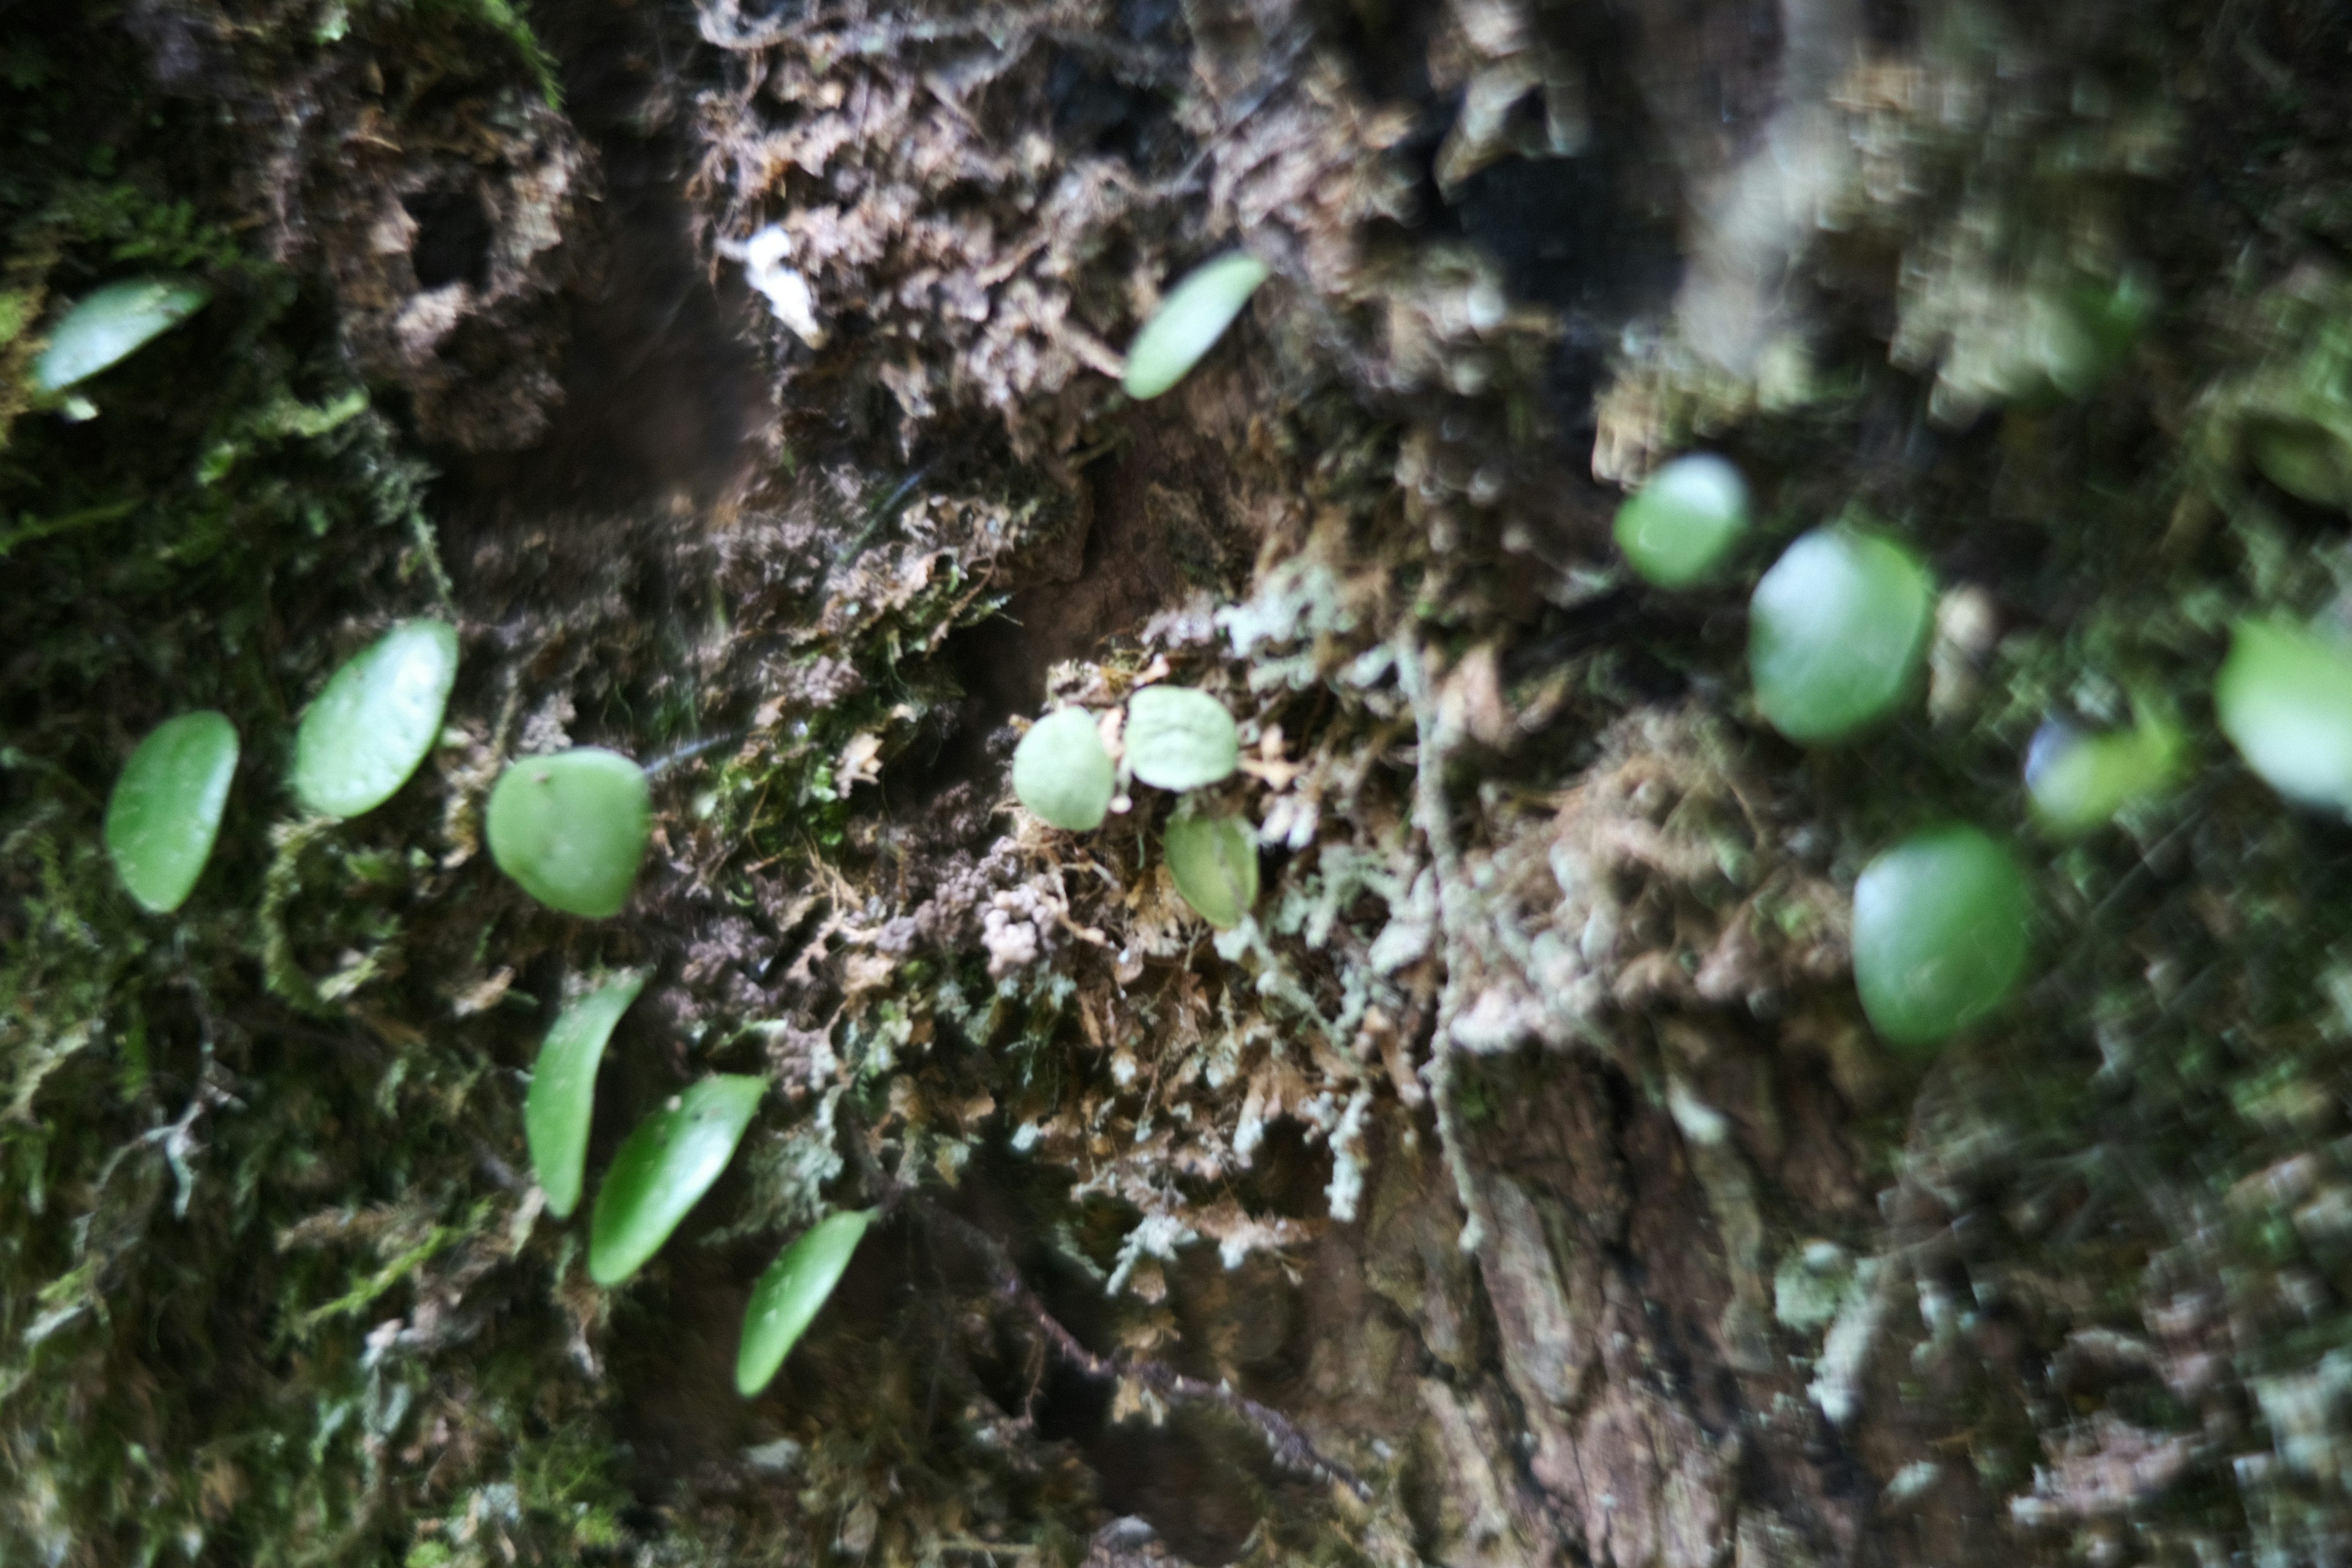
(168, 808)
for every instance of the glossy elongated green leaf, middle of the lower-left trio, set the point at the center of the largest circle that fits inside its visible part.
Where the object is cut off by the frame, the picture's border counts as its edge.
(664, 1170)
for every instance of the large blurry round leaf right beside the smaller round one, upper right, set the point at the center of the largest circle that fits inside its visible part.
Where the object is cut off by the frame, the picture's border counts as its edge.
(1838, 634)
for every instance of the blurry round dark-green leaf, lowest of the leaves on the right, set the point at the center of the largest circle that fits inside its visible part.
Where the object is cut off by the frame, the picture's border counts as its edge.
(1942, 927)
